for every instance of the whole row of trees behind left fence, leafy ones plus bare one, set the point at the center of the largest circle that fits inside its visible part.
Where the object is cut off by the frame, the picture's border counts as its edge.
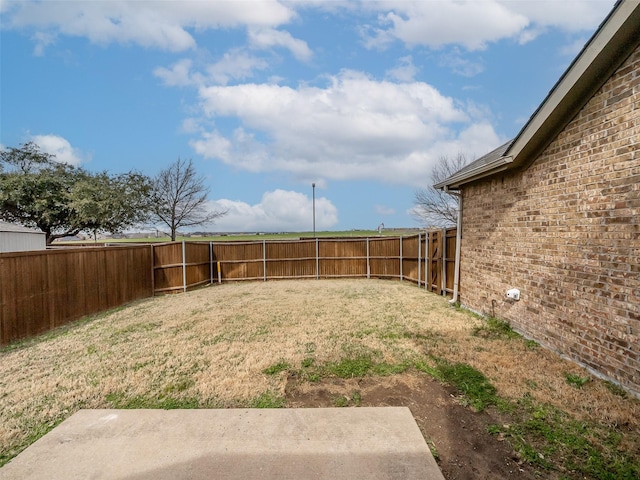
(62, 200)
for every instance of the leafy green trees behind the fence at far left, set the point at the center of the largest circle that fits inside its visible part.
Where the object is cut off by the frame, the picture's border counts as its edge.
(62, 200)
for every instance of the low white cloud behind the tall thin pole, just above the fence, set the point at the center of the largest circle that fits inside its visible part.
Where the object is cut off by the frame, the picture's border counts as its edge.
(279, 210)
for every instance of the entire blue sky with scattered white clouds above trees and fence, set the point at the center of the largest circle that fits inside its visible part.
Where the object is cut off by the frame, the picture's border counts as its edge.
(268, 97)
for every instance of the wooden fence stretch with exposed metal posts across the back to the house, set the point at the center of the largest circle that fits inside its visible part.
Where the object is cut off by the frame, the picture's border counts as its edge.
(426, 259)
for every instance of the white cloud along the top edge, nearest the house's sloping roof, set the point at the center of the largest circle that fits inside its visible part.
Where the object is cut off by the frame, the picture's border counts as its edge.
(472, 24)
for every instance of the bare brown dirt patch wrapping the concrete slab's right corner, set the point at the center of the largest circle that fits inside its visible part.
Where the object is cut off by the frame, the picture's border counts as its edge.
(457, 435)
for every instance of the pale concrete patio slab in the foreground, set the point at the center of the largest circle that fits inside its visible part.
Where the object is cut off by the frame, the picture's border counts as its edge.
(325, 443)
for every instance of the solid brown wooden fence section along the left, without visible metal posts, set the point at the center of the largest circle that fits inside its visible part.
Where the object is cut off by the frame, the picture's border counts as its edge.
(42, 290)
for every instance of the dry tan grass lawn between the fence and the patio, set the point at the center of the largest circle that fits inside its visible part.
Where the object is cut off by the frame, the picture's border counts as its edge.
(213, 345)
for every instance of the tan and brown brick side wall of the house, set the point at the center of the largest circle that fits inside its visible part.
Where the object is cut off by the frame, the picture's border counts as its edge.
(566, 232)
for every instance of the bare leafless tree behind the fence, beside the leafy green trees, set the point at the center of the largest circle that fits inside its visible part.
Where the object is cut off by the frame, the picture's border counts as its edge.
(180, 198)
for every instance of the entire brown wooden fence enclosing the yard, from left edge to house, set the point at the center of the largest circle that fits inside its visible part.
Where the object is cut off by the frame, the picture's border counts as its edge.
(43, 290)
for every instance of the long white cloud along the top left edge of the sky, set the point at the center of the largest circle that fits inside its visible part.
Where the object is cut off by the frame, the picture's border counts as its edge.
(159, 24)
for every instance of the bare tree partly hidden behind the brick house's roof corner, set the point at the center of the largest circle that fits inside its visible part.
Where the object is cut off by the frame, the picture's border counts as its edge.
(434, 207)
